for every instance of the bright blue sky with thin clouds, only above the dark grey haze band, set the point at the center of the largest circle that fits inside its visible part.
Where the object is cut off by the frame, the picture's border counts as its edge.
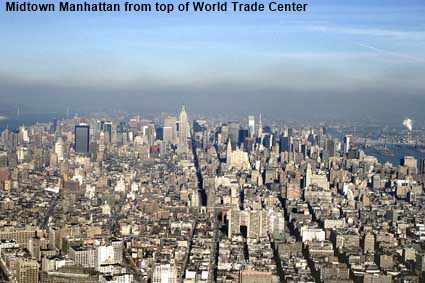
(335, 46)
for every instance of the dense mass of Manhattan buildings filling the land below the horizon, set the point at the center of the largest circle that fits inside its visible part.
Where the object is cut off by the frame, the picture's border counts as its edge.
(124, 200)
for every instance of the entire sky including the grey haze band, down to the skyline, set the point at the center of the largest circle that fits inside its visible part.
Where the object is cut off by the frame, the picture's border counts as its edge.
(339, 59)
